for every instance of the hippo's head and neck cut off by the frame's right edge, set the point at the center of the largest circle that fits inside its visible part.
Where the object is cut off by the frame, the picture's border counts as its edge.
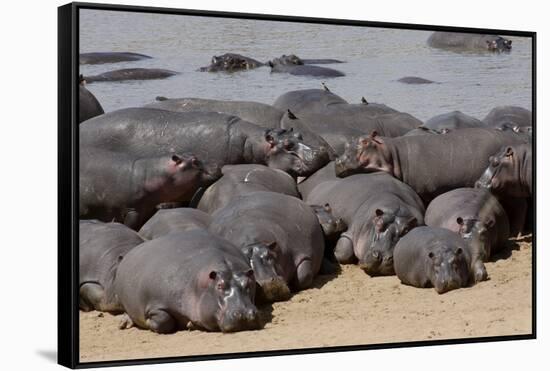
(510, 172)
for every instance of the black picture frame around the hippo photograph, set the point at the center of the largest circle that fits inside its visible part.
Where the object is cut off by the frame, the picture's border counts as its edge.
(68, 141)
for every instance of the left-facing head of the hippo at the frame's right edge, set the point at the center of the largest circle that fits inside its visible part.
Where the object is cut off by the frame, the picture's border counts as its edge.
(502, 173)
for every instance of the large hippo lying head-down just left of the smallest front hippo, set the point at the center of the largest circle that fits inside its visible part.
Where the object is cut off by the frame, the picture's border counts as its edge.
(378, 210)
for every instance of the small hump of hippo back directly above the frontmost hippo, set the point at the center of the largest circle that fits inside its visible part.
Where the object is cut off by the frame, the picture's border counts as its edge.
(166, 221)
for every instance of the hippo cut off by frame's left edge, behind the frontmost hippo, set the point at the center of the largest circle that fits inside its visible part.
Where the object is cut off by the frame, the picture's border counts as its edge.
(101, 248)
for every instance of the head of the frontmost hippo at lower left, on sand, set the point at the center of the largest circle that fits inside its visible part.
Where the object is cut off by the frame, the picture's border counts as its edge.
(233, 293)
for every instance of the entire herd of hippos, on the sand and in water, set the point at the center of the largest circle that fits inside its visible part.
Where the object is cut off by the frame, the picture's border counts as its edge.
(195, 211)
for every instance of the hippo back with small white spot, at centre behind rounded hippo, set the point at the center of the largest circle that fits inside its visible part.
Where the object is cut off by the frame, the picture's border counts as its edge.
(240, 180)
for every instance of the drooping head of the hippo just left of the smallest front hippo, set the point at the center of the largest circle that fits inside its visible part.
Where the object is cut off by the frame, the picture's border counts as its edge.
(377, 239)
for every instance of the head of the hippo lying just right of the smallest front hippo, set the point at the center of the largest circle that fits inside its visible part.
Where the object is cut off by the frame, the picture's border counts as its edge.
(475, 232)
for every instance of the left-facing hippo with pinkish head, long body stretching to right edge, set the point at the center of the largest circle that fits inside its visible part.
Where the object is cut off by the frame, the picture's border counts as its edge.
(430, 164)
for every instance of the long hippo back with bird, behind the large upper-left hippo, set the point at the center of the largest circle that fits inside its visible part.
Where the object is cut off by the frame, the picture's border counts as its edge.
(260, 114)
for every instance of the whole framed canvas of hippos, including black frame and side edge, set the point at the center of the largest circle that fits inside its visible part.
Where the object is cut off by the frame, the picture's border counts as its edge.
(242, 185)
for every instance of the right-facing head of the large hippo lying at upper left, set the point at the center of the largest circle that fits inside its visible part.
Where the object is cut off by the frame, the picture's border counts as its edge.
(286, 151)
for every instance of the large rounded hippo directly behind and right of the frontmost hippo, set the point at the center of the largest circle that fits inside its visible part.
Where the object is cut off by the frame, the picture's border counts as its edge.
(280, 234)
